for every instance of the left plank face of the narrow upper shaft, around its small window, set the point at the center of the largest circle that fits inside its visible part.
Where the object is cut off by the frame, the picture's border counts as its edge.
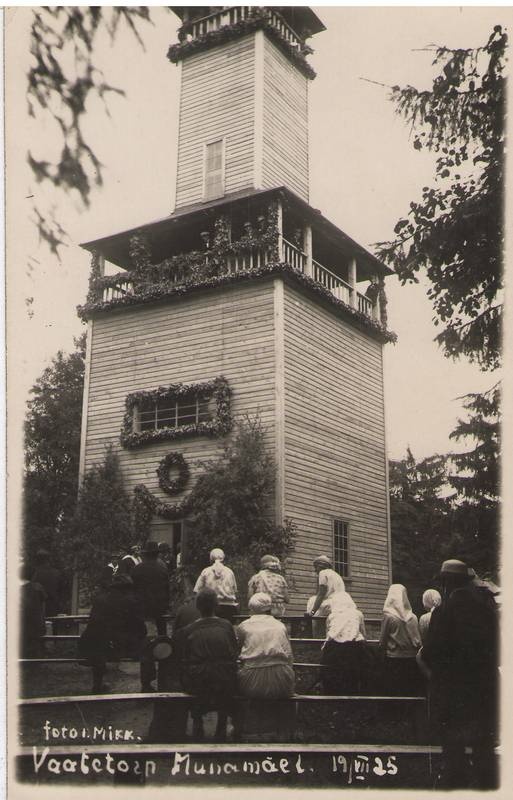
(217, 100)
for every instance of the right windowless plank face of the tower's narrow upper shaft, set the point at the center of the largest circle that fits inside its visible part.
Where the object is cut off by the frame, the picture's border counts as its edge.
(285, 140)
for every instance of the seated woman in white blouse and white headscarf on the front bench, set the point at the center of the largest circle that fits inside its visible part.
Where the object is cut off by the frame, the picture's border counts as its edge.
(266, 655)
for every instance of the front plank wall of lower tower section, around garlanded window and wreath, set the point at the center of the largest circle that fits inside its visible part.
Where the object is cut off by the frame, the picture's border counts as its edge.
(228, 333)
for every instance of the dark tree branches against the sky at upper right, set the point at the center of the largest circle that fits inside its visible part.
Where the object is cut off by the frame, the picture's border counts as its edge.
(456, 231)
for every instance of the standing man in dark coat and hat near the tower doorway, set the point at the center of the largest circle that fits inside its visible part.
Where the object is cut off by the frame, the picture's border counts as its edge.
(151, 585)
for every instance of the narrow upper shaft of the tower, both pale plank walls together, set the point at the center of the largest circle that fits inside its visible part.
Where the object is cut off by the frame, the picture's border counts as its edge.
(247, 93)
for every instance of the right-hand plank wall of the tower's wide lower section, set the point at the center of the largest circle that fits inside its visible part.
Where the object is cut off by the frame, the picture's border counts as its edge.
(334, 447)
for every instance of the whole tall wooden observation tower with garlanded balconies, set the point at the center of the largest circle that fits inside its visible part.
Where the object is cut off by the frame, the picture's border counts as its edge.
(247, 300)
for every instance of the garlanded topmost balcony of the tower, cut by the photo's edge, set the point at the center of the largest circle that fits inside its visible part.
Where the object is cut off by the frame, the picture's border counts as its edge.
(204, 27)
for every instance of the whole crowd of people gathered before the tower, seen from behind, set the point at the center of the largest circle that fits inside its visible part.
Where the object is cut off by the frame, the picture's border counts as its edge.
(450, 653)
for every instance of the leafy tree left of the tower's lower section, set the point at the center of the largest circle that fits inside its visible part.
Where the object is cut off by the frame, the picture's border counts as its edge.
(52, 448)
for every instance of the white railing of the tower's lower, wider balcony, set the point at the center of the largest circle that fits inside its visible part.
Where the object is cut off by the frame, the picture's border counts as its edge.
(252, 260)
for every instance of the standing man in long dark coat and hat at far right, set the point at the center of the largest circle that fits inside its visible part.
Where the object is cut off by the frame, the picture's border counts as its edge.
(461, 651)
